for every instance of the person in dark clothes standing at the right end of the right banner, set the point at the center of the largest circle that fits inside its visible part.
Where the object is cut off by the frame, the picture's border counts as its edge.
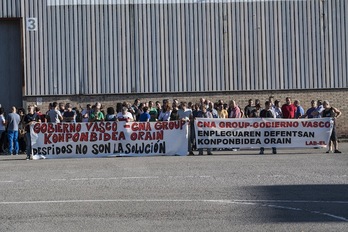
(333, 113)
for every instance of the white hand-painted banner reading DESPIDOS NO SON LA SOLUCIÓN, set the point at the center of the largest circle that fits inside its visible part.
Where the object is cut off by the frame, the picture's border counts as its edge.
(104, 139)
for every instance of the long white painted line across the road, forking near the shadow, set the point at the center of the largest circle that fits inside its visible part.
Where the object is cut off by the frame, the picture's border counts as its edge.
(238, 202)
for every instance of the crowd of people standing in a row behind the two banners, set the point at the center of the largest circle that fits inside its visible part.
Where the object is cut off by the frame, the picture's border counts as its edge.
(17, 122)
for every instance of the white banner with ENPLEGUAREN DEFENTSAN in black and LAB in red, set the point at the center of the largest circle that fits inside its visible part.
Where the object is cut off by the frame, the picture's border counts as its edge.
(262, 132)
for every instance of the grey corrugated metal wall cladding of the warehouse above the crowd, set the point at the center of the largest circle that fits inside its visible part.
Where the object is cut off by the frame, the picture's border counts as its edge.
(94, 48)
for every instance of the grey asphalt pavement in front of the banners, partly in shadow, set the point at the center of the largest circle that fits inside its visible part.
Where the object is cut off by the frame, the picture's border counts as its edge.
(295, 190)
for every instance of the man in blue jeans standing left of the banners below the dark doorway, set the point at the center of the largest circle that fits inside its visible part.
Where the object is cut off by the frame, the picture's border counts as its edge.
(12, 122)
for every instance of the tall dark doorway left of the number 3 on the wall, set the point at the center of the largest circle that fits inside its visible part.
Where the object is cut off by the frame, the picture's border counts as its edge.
(11, 80)
